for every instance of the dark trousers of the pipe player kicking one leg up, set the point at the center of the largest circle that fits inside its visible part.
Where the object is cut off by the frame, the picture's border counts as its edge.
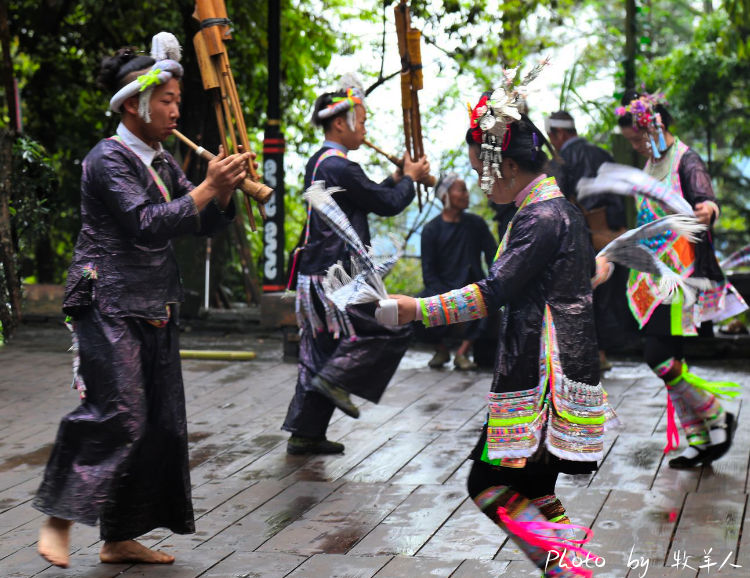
(362, 366)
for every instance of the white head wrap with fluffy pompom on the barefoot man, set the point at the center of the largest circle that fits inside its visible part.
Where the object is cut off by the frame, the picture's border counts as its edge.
(165, 49)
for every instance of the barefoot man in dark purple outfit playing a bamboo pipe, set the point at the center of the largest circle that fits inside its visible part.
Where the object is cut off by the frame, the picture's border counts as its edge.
(121, 457)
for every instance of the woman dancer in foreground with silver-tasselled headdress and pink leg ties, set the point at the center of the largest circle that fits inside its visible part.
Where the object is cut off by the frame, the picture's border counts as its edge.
(547, 410)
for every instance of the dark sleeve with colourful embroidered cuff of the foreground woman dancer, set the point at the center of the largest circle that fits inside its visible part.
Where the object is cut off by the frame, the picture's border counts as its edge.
(531, 247)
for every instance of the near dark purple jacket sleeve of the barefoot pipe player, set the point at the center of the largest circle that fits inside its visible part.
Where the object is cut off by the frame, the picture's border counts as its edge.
(135, 203)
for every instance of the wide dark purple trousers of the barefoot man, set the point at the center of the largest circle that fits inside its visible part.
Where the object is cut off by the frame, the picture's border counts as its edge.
(121, 456)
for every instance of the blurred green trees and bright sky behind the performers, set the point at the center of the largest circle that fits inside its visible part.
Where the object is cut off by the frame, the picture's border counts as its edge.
(697, 52)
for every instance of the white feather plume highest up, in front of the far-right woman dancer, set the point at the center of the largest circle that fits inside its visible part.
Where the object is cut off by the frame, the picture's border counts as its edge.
(629, 181)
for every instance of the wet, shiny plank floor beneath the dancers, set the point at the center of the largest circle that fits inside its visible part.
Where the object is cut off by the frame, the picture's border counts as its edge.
(394, 504)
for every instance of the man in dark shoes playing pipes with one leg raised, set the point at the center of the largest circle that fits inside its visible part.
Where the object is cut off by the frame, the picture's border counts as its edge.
(342, 353)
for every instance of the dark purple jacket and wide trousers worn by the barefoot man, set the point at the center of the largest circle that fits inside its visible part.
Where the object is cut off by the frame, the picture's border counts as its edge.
(121, 457)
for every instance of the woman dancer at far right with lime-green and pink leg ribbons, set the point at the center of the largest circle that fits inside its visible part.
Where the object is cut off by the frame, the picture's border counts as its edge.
(709, 429)
